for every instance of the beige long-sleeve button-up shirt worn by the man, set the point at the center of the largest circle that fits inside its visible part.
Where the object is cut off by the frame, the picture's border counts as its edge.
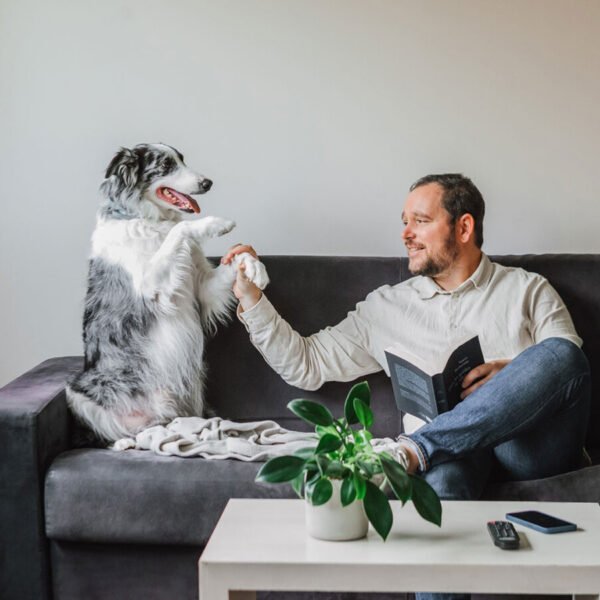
(509, 308)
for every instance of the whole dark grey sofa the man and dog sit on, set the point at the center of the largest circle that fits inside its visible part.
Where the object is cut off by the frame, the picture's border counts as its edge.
(86, 522)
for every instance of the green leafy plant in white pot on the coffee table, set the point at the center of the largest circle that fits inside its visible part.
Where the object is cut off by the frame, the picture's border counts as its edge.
(343, 469)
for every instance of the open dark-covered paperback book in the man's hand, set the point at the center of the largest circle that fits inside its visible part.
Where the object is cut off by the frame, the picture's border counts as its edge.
(427, 387)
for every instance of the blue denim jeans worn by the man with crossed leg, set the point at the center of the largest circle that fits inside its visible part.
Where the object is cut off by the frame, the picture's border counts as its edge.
(529, 420)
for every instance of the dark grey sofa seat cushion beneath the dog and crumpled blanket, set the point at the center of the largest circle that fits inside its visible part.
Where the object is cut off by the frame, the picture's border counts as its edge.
(133, 497)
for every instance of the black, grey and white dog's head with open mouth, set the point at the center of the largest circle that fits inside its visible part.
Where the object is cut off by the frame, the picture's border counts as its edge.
(151, 181)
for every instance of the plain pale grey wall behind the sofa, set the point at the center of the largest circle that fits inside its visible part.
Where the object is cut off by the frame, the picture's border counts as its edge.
(312, 116)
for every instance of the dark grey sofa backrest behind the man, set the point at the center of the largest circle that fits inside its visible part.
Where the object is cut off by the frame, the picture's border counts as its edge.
(312, 292)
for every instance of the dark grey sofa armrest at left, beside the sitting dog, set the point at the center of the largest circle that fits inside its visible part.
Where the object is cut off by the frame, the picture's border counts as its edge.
(34, 428)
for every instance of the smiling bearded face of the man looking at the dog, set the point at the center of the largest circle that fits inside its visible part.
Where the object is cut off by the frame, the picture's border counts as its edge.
(428, 235)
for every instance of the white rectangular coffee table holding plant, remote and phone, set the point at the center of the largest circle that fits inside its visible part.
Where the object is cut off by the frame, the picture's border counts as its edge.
(262, 545)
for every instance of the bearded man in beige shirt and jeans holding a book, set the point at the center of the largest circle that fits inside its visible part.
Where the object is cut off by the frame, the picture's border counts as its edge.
(524, 411)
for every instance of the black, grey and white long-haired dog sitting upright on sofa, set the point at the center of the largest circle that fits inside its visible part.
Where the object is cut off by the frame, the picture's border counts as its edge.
(152, 296)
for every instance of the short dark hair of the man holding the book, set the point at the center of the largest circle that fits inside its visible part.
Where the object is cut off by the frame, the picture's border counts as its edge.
(461, 196)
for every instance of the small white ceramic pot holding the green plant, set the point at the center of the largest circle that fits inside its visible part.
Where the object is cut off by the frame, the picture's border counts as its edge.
(334, 522)
